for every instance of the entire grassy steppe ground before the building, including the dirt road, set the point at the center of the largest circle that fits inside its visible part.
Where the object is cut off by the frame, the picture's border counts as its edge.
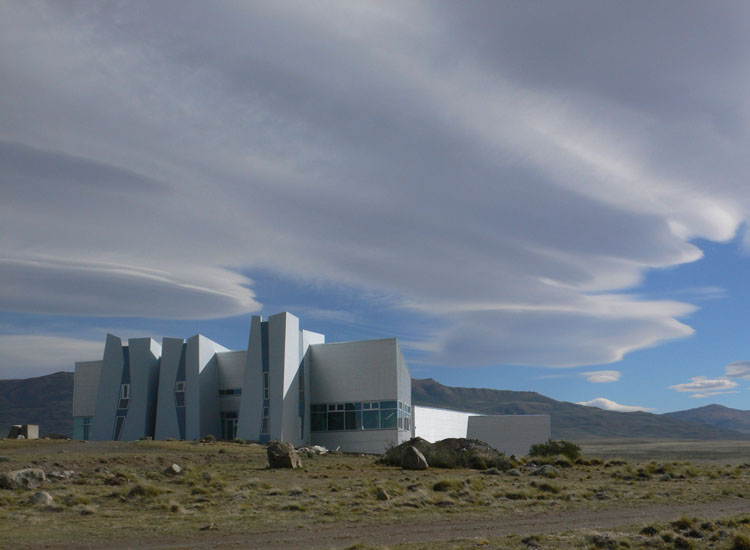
(120, 494)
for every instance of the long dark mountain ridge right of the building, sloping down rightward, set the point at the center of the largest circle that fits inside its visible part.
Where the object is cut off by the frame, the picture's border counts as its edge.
(569, 421)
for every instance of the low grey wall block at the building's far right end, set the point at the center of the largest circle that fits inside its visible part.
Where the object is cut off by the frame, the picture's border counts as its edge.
(511, 434)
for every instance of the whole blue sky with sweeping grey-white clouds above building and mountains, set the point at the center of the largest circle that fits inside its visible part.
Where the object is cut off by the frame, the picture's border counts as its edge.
(531, 196)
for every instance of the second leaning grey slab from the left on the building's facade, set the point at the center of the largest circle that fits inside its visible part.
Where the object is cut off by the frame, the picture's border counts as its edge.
(144, 380)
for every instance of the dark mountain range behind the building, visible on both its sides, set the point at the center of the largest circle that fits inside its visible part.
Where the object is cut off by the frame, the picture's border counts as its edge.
(47, 401)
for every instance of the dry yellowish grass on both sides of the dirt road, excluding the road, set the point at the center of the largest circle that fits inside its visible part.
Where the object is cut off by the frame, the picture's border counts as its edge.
(120, 489)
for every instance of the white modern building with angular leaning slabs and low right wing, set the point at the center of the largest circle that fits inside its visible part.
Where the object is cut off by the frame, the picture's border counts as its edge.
(288, 385)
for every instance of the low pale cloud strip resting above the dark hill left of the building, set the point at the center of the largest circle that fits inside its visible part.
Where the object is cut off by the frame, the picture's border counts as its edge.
(26, 355)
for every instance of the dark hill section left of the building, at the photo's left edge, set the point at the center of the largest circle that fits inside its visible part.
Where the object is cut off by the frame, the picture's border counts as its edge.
(44, 400)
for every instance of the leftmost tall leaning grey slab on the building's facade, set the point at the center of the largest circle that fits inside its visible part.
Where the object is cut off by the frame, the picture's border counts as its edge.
(108, 393)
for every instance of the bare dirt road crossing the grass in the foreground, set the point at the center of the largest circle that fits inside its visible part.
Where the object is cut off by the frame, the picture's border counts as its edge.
(441, 528)
